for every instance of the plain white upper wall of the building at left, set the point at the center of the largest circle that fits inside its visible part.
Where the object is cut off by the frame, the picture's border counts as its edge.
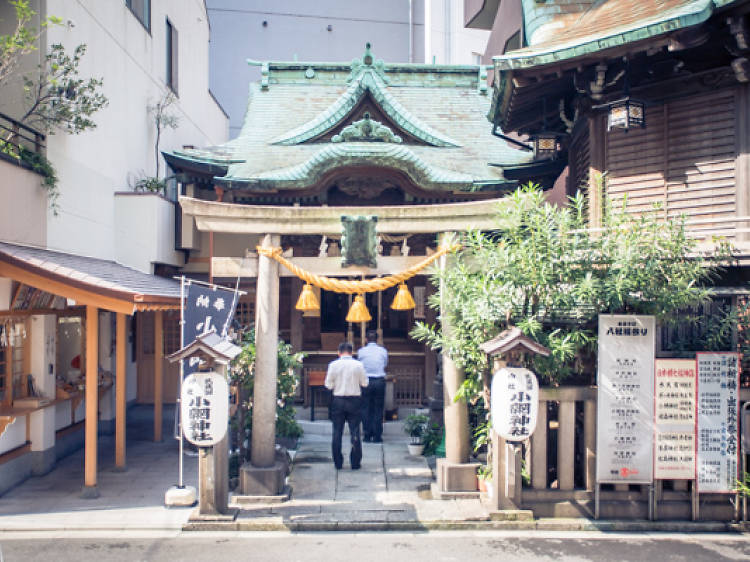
(94, 165)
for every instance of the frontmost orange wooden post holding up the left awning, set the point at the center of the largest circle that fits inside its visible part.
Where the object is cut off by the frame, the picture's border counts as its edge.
(92, 402)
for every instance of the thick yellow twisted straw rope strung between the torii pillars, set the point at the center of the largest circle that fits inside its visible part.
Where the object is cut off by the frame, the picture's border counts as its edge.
(354, 287)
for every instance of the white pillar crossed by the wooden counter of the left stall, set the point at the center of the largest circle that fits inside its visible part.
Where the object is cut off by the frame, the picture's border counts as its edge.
(43, 358)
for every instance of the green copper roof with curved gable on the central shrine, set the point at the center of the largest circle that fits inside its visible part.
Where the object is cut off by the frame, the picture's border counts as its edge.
(442, 108)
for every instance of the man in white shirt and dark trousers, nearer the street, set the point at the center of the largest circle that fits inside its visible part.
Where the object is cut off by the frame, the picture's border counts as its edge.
(345, 377)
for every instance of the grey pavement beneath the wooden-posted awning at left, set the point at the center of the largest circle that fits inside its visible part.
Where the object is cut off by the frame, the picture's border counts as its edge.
(133, 499)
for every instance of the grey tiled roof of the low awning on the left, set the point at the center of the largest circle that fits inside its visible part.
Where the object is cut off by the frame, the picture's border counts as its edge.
(92, 273)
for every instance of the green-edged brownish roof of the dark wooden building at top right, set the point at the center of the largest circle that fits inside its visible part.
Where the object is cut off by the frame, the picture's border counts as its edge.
(604, 25)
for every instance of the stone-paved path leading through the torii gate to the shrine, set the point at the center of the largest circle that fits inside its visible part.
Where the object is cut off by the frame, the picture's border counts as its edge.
(389, 491)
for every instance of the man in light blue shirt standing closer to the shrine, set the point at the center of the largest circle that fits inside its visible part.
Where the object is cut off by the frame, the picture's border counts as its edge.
(374, 357)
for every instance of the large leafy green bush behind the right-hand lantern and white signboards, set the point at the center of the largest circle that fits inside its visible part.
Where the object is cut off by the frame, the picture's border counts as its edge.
(545, 271)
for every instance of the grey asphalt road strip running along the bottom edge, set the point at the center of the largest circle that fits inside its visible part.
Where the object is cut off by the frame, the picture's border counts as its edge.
(376, 547)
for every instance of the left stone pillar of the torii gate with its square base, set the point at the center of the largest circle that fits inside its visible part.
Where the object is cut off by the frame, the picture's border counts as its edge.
(264, 475)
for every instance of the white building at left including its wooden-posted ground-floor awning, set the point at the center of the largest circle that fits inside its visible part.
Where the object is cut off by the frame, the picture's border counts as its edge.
(105, 239)
